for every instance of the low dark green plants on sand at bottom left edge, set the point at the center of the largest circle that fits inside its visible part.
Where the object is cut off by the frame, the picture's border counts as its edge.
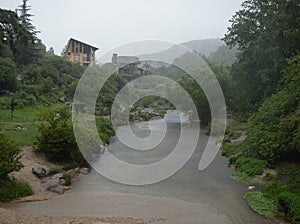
(12, 189)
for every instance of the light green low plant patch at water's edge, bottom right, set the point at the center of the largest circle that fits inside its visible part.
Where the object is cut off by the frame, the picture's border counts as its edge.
(259, 203)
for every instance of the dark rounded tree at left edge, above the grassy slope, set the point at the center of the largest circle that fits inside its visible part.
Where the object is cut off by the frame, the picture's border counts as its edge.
(8, 74)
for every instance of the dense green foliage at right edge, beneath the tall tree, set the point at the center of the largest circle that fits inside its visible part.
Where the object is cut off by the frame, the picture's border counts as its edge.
(274, 129)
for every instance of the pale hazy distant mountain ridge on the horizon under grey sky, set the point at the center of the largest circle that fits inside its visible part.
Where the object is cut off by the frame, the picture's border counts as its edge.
(203, 47)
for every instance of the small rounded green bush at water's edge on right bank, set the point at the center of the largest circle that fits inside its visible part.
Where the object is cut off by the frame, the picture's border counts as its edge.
(250, 166)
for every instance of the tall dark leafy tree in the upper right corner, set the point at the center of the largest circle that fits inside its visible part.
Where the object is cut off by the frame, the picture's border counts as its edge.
(267, 33)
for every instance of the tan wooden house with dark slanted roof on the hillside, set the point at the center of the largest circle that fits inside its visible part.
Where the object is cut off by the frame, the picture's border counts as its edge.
(79, 52)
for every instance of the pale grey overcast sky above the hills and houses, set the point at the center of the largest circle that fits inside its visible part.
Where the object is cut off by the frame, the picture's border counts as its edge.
(110, 23)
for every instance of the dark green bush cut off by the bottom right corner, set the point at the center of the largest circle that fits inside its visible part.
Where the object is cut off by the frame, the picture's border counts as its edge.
(290, 205)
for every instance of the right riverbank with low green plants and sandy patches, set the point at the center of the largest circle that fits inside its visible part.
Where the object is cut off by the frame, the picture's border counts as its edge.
(269, 183)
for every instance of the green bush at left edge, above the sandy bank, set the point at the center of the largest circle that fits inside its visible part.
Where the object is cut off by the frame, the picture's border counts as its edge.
(9, 157)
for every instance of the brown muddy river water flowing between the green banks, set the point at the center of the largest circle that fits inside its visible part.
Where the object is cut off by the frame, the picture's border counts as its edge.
(189, 196)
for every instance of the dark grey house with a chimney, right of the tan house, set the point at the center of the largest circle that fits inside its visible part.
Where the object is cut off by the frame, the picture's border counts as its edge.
(129, 66)
